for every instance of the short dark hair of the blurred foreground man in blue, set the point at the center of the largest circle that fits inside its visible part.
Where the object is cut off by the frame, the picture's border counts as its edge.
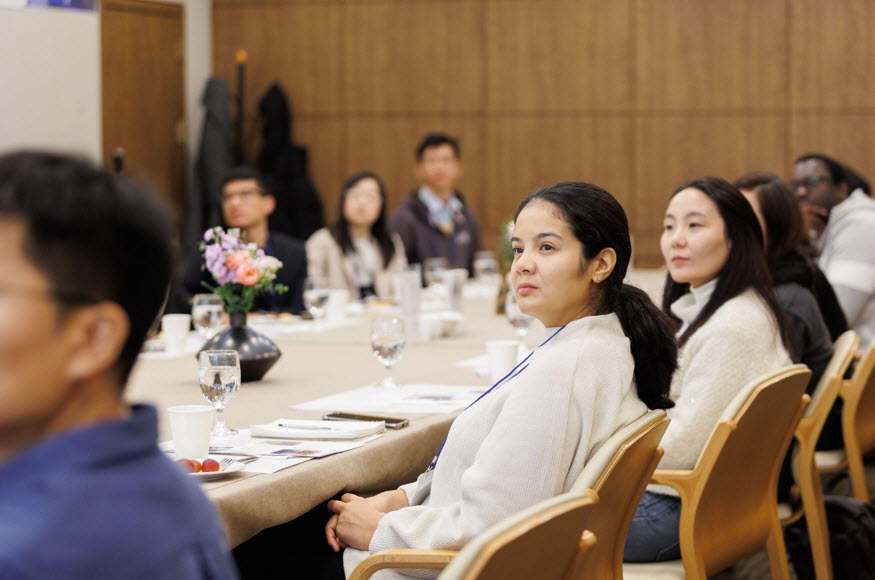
(93, 235)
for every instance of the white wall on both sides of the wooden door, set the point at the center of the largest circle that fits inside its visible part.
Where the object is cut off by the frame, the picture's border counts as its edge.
(50, 83)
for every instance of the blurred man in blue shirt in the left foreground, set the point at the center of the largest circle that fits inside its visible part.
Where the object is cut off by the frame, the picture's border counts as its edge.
(84, 490)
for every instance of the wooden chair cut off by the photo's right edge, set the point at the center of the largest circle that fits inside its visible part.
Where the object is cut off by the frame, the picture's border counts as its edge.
(858, 426)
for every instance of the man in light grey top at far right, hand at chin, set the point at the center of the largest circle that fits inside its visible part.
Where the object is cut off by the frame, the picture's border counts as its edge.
(842, 226)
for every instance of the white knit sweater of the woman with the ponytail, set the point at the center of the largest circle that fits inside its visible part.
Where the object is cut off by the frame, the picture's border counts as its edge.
(524, 442)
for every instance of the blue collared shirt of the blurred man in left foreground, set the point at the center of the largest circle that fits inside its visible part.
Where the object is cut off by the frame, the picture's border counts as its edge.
(104, 502)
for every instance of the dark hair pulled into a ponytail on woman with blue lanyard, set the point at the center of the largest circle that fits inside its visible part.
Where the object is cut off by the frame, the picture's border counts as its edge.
(598, 222)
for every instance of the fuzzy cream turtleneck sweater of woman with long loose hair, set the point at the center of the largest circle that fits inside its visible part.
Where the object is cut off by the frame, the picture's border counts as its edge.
(738, 343)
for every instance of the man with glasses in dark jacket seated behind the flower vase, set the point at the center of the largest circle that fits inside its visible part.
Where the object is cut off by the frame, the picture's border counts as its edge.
(246, 204)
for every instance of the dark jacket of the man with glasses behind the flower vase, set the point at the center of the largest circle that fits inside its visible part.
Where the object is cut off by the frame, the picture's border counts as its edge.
(293, 273)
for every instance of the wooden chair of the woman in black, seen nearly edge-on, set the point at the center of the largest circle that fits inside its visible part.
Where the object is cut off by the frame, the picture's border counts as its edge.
(805, 470)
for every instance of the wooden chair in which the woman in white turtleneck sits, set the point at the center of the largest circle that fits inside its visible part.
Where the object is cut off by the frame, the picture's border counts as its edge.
(729, 499)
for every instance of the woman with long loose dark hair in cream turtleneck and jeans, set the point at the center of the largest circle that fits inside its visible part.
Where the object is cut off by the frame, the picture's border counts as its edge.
(731, 330)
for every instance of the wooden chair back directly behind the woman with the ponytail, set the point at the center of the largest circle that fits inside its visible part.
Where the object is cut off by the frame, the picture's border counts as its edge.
(625, 462)
